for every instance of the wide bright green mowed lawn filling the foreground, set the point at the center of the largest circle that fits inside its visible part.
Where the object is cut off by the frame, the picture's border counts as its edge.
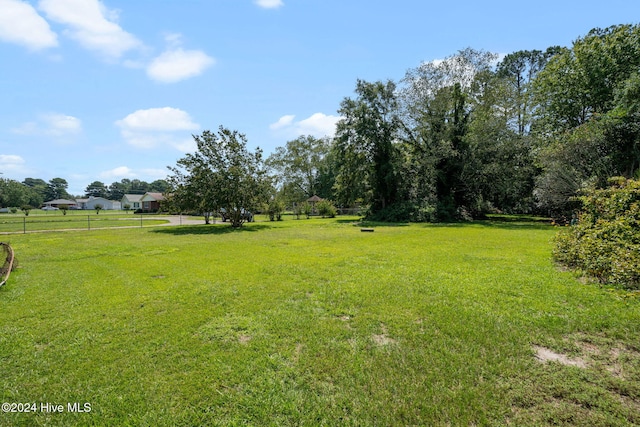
(313, 322)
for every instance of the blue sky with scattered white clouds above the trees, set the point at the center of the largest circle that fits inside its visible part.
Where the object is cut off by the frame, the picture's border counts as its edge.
(105, 90)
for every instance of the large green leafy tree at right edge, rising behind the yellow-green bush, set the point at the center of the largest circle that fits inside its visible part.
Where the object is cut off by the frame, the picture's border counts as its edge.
(588, 119)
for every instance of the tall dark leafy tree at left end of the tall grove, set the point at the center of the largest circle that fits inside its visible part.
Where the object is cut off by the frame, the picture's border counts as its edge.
(365, 142)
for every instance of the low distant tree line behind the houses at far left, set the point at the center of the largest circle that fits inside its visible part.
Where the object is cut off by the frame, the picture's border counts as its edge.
(34, 192)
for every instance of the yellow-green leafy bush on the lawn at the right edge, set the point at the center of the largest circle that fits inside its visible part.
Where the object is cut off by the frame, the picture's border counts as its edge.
(605, 242)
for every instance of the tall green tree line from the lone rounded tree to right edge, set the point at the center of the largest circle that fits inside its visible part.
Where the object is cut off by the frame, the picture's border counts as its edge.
(454, 139)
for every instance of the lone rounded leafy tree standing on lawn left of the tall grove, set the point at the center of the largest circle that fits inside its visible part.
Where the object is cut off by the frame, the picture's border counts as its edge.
(221, 174)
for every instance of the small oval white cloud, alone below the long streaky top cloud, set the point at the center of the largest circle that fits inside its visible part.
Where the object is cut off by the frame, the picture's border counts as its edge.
(178, 64)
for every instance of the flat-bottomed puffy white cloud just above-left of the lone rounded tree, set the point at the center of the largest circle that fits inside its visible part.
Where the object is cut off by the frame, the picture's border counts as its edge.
(156, 126)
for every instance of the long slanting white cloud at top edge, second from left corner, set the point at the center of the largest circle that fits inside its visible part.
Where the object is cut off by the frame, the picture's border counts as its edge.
(91, 24)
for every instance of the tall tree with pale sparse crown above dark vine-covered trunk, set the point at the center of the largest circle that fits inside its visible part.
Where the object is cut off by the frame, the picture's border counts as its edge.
(438, 101)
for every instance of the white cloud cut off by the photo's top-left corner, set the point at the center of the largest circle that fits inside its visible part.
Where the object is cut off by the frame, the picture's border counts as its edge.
(21, 24)
